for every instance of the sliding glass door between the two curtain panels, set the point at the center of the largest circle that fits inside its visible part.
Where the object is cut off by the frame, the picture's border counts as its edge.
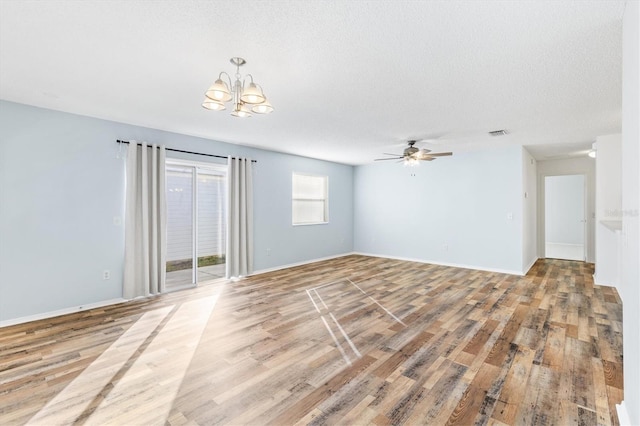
(196, 223)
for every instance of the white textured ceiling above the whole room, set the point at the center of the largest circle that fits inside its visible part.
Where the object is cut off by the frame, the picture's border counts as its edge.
(348, 79)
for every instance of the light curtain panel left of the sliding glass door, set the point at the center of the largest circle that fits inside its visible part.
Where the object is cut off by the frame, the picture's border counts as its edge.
(145, 221)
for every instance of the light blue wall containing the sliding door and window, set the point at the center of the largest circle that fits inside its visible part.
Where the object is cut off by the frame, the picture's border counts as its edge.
(61, 186)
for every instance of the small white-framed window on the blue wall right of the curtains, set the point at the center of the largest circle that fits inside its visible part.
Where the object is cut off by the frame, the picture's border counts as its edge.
(310, 199)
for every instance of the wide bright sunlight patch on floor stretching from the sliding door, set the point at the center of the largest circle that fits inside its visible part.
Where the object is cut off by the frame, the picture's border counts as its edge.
(145, 383)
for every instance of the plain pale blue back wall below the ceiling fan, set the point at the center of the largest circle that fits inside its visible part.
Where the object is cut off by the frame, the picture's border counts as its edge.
(453, 210)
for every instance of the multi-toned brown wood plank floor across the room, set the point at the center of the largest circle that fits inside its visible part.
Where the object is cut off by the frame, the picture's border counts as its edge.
(354, 340)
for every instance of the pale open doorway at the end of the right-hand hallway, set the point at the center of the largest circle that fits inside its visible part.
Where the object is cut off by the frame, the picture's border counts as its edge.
(565, 222)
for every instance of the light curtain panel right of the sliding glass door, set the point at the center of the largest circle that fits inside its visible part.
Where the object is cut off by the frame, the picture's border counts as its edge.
(239, 258)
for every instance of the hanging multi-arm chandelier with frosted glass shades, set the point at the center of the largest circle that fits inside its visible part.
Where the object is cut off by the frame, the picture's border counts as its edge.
(246, 98)
